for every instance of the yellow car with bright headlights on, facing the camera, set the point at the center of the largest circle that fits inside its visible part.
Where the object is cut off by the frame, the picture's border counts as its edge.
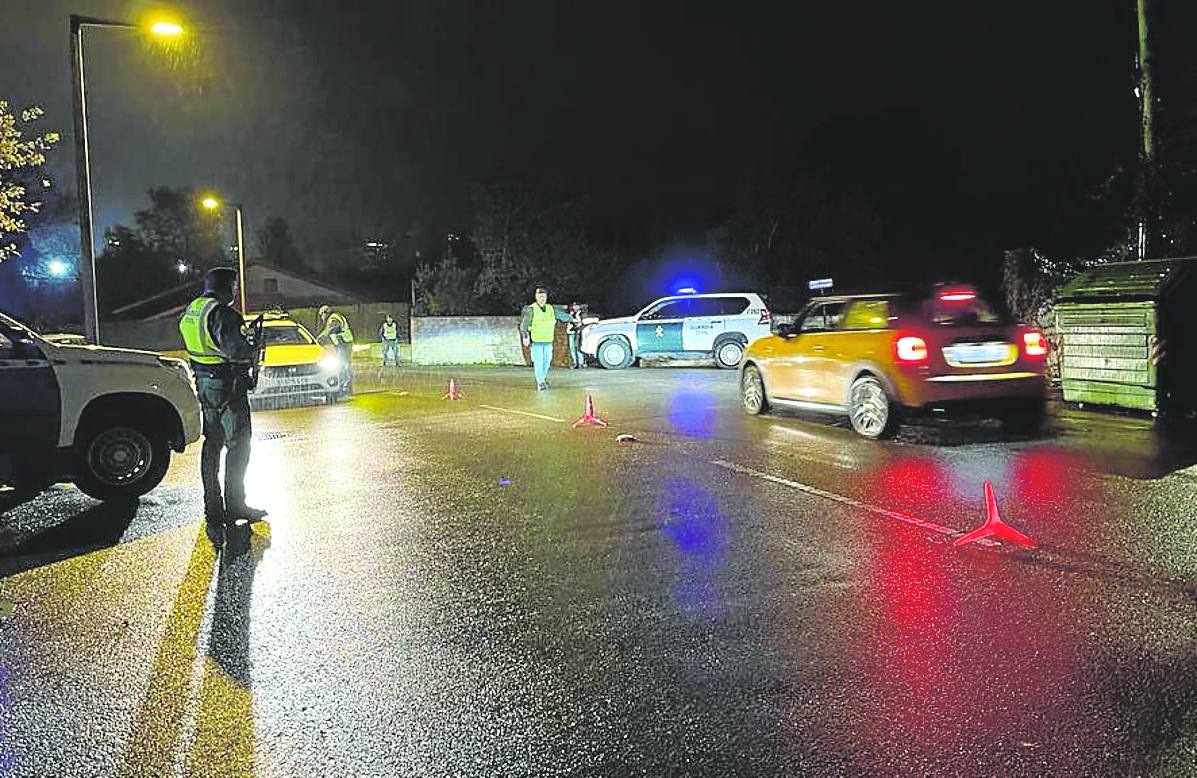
(296, 369)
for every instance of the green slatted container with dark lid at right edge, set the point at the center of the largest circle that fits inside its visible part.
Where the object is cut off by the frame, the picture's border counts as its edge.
(1125, 335)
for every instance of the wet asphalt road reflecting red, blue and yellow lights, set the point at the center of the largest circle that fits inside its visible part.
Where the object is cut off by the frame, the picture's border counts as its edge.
(476, 589)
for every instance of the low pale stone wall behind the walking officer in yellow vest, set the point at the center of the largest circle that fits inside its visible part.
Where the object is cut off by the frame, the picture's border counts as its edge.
(476, 341)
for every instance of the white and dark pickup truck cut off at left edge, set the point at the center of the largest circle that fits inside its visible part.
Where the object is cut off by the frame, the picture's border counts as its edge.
(106, 420)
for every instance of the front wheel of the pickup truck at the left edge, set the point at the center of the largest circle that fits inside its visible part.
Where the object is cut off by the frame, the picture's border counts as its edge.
(120, 461)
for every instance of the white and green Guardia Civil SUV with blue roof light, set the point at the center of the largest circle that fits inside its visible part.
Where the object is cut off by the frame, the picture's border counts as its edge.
(682, 327)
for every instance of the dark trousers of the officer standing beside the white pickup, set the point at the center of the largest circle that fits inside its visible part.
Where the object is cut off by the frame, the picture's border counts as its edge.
(227, 426)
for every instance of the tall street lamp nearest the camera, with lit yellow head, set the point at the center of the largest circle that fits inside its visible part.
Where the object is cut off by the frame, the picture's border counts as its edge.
(83, 161)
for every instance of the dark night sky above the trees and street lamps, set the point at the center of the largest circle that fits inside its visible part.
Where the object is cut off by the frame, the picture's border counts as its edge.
(969, 125)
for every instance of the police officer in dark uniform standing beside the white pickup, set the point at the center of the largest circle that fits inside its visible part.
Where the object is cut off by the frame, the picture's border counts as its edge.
(222, 357)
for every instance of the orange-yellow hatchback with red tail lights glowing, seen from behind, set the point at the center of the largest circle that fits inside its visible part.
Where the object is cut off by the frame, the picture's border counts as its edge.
(876, 357)
